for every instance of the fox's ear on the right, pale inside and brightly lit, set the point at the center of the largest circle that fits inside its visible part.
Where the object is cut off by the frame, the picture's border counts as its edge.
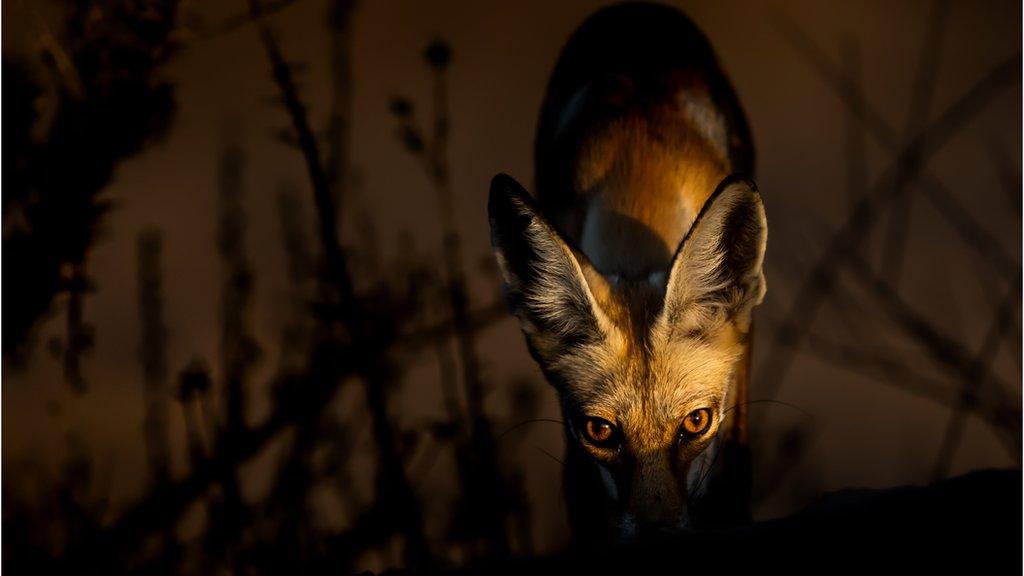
(717, 275)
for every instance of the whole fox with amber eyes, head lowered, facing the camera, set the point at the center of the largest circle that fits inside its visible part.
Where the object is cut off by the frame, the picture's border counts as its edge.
(634, 272)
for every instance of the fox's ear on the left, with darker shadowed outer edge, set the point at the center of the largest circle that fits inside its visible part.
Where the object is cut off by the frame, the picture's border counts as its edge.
(545, 281)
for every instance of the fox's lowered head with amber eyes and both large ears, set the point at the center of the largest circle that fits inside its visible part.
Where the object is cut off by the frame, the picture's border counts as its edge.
(644, 367)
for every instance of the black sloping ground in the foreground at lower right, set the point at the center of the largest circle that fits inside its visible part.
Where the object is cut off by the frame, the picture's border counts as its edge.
(971, 523)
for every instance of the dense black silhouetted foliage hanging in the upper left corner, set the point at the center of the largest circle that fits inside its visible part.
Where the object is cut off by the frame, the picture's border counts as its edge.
(101, 80)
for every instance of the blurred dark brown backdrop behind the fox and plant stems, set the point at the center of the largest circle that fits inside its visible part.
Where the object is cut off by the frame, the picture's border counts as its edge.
(833, 92)
